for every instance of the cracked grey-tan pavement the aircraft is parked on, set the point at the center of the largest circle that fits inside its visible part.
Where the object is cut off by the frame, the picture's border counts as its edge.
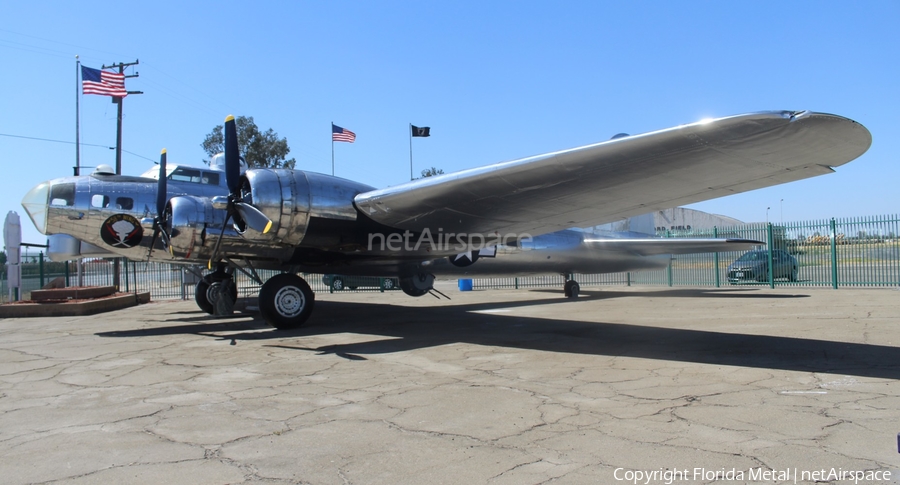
(624, 385)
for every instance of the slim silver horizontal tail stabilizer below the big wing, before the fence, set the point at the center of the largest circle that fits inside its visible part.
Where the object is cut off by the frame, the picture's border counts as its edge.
(654, 246)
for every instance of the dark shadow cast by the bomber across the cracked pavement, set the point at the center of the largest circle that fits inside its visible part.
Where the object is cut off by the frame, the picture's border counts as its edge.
(402, 328)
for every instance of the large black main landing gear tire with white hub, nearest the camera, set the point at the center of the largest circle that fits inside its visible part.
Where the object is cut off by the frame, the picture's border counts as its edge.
(286, 301)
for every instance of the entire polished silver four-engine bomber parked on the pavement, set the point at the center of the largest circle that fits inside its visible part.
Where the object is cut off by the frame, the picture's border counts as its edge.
(510, 218)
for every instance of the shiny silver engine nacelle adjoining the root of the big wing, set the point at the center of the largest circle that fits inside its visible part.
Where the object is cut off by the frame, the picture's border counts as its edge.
(289, 198)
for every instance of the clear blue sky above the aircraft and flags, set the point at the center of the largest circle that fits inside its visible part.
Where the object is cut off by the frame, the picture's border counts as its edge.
(494, 80)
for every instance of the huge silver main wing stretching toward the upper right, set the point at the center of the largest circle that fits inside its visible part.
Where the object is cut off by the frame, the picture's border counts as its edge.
(623, 177)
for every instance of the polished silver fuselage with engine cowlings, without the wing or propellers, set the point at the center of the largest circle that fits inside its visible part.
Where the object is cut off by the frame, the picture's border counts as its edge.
(317, 229)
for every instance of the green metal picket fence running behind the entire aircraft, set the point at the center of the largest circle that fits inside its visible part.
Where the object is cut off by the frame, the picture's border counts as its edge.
(849, 252)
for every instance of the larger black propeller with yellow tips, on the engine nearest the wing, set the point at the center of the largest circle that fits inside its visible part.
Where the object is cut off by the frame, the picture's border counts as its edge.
(242, 212)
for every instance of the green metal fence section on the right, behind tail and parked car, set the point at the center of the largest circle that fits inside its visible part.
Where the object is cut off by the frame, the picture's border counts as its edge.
(848, 252)
